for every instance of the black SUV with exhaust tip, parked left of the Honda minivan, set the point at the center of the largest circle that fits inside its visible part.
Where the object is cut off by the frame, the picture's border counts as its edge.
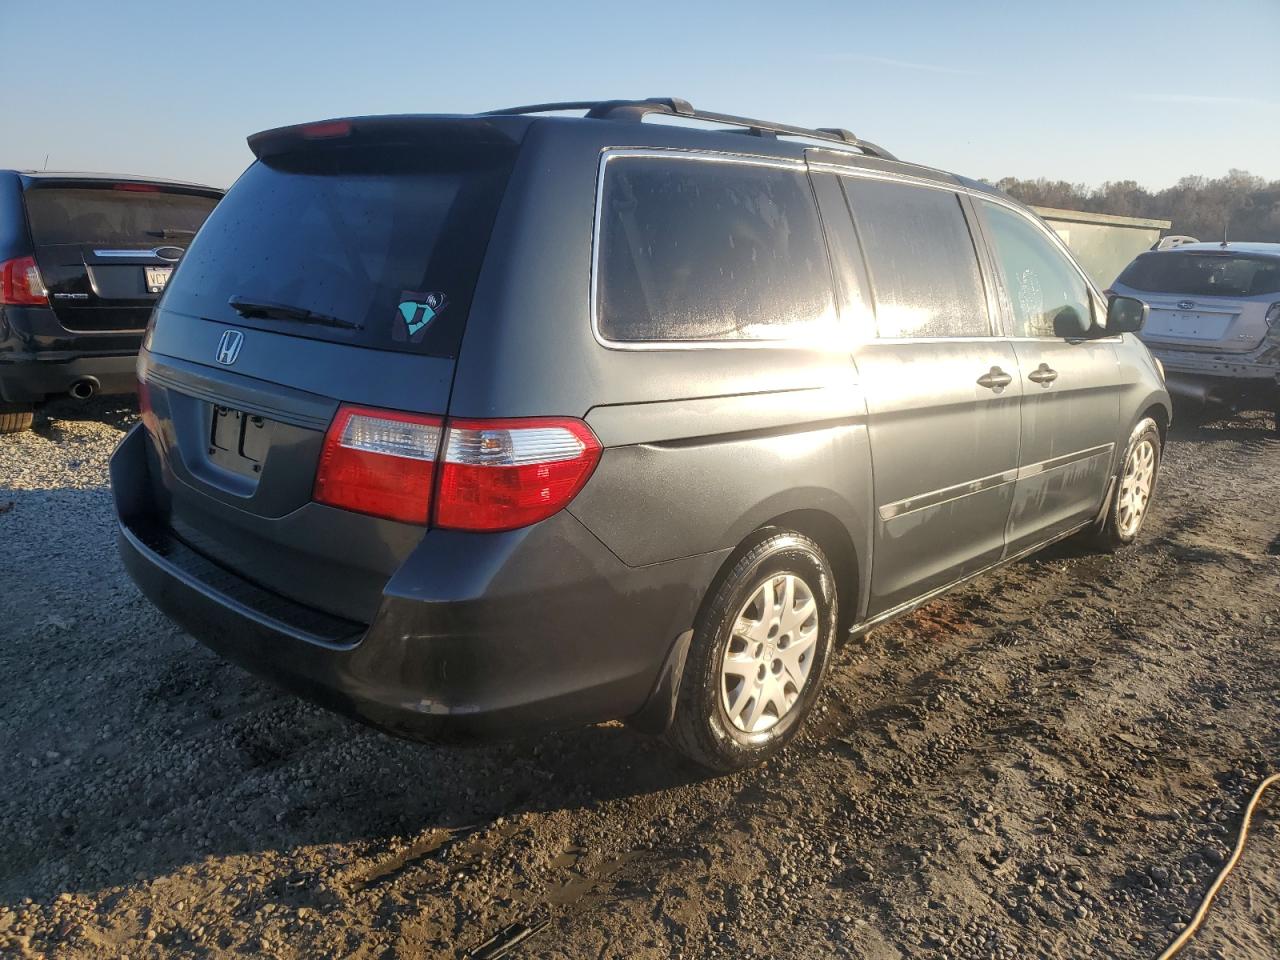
(83, 260)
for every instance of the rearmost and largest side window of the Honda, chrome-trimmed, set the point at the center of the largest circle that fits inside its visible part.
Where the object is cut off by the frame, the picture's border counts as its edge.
(703, 250)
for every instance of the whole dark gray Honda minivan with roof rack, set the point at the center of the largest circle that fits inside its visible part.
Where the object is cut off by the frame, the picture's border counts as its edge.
(495, 424)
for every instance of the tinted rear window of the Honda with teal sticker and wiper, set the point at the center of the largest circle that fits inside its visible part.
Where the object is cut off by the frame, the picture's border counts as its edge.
(387, 240)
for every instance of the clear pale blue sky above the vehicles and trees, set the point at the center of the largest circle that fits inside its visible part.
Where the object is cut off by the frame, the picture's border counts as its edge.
(1081, 90)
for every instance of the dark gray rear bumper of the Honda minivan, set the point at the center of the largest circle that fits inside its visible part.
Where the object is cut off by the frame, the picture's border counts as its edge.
(478, 636)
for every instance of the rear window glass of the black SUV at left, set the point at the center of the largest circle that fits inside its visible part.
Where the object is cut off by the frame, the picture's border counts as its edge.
(106, 216)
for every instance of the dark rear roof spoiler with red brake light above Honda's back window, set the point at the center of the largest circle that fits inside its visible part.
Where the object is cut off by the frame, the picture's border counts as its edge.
(409, 129)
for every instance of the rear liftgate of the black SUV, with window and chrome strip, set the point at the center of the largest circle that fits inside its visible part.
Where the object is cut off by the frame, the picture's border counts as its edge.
(107, 249)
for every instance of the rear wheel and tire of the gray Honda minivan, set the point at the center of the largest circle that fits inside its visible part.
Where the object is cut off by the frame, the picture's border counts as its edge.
(743, 696)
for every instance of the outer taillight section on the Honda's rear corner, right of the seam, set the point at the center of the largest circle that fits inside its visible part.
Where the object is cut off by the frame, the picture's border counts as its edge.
(504, 474)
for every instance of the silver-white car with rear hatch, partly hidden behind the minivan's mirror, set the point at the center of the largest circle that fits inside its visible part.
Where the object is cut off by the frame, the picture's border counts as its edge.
(1215, 321)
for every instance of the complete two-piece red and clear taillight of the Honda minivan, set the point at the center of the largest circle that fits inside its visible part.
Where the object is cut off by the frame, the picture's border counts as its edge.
(493, 474)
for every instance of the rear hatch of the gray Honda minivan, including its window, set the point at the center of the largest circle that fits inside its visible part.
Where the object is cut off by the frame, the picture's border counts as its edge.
(340, 269)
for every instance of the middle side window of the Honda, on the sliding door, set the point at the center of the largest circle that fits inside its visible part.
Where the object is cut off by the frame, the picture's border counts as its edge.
(922, 260)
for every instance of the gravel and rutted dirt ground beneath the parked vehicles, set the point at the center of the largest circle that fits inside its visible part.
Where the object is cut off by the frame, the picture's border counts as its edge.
(1050, 762)
